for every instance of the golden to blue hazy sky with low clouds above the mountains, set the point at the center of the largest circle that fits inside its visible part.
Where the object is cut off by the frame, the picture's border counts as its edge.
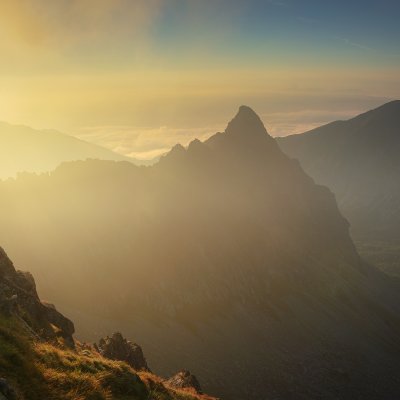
(138, 76)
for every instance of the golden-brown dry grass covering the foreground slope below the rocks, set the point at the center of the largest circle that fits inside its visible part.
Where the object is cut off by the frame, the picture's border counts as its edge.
(40, 370)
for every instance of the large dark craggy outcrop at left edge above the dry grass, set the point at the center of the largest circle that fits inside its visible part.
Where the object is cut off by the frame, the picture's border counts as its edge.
(18, 296)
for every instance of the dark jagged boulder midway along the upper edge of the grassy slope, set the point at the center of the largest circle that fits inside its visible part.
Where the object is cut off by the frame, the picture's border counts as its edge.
(118, 348)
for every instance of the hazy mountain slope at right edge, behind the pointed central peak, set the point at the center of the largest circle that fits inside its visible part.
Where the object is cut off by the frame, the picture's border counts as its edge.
(359, 161)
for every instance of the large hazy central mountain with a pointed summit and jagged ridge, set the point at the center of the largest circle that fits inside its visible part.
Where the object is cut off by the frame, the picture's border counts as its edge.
(224, 258)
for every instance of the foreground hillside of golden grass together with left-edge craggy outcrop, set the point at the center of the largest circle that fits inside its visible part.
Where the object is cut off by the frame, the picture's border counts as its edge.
(40, 359)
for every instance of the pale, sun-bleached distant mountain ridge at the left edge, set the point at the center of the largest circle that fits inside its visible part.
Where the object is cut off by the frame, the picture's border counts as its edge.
(23, 149)
